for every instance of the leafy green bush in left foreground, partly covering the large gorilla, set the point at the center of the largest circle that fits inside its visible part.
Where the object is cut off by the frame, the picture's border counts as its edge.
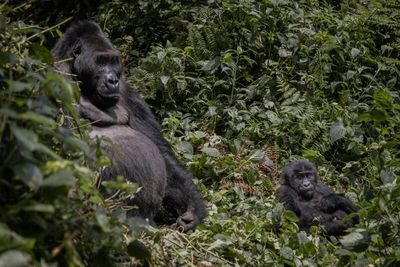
(50, 208)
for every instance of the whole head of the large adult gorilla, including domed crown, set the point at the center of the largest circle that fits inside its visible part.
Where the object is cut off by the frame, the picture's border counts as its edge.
(93, 60)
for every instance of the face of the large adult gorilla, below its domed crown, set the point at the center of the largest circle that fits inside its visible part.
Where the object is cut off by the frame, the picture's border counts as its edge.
(99, 70)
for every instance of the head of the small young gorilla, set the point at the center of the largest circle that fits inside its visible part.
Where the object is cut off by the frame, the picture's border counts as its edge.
(302, 176)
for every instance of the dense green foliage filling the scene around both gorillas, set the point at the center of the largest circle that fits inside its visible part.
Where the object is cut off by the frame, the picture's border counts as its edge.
(241, 88)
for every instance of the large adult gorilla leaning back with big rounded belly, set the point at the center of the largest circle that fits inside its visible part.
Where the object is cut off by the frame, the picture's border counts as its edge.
(138, 151)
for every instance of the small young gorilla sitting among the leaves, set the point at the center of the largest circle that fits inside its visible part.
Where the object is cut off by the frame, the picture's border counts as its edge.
(314, 203)
